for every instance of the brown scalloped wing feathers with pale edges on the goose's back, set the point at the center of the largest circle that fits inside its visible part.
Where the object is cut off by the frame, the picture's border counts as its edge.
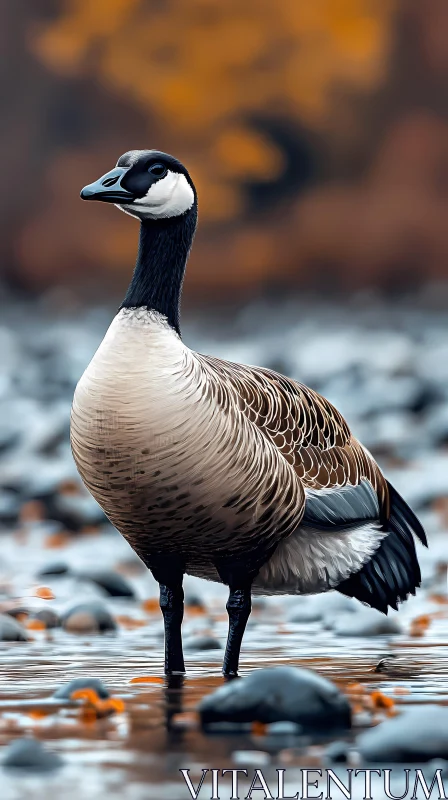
(307, 429)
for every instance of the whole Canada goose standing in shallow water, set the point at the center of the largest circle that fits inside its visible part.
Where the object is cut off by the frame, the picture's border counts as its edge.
(228, 472)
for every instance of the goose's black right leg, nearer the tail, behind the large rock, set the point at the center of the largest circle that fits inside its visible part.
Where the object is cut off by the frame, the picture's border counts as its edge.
(239, 606)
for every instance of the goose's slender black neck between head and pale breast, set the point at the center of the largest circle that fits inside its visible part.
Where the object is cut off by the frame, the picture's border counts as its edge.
(159, 271)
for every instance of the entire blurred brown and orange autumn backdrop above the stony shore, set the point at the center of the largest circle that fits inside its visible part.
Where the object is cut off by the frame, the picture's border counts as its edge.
(315, 132)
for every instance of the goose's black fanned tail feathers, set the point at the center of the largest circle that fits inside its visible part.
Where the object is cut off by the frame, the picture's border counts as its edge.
(393, 571)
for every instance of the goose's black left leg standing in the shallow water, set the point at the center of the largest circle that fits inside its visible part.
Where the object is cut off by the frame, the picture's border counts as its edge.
(169, 572)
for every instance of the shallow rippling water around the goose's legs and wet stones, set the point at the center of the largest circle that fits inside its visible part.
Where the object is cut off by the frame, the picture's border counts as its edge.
(138, 753)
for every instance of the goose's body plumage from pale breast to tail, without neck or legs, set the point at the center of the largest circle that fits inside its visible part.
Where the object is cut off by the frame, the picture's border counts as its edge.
(189, 453)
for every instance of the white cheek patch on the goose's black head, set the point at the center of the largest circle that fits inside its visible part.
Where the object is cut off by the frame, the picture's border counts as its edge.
(169, 197)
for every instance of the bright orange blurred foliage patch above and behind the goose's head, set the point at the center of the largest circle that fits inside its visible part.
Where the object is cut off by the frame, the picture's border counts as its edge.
(201, 72)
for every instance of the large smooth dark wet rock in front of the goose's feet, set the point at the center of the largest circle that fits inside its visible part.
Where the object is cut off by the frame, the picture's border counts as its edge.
(279, 694)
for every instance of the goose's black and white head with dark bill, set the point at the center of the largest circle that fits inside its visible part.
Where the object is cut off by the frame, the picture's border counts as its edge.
(147, 184)
